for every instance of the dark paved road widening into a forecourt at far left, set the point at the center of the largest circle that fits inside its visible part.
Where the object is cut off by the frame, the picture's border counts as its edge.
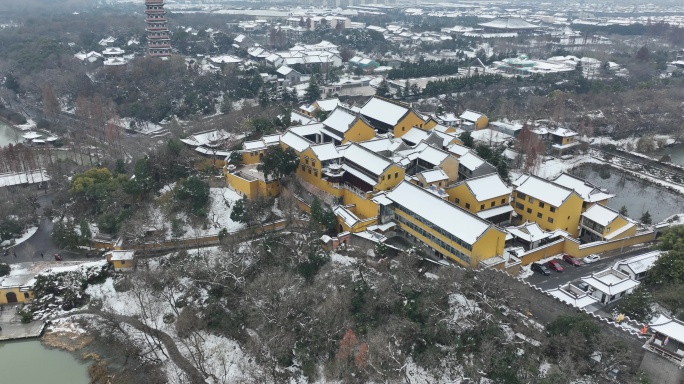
(40, 243)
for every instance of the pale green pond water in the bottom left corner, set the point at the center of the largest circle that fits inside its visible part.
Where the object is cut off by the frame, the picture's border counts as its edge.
(29, 362)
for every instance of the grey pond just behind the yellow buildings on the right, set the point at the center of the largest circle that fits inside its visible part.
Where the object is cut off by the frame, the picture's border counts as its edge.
(637, 195)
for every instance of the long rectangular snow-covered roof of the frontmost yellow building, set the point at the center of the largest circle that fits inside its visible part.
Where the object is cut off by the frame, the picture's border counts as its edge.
(450, 218)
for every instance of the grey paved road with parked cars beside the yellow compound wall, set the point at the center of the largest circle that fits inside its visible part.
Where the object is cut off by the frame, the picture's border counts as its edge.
(573, 274)
